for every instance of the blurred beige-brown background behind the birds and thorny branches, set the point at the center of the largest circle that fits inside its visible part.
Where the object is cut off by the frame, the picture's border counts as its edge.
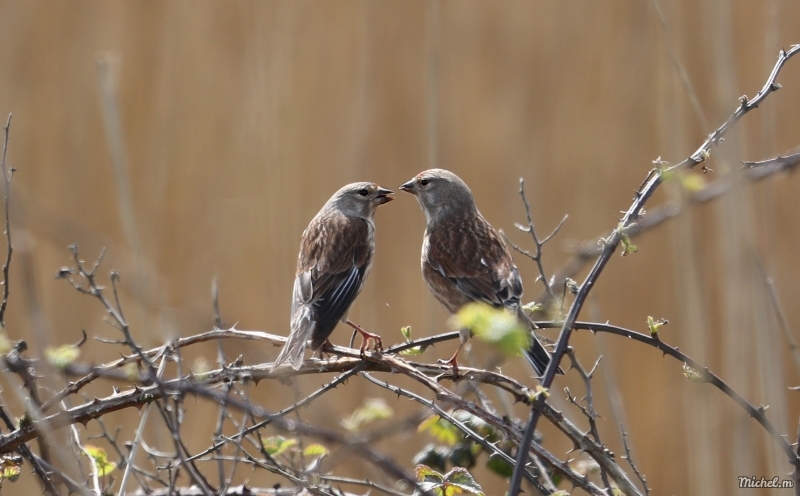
(240, 119)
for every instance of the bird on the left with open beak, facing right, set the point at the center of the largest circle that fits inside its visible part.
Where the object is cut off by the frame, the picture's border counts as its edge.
(336, 253)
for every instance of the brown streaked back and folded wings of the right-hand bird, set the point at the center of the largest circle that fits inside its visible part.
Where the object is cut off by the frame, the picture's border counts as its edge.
(471, 254)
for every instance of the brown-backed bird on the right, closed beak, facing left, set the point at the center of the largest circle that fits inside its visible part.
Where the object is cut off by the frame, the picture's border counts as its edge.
(464, 259)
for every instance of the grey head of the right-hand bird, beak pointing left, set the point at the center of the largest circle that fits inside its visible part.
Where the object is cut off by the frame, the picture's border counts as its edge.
(440, 192)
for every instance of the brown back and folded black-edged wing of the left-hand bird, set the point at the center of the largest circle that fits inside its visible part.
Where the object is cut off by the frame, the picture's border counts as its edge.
(335, 256)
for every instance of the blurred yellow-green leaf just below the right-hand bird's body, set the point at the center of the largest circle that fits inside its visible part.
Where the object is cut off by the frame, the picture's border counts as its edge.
(496, 326)
